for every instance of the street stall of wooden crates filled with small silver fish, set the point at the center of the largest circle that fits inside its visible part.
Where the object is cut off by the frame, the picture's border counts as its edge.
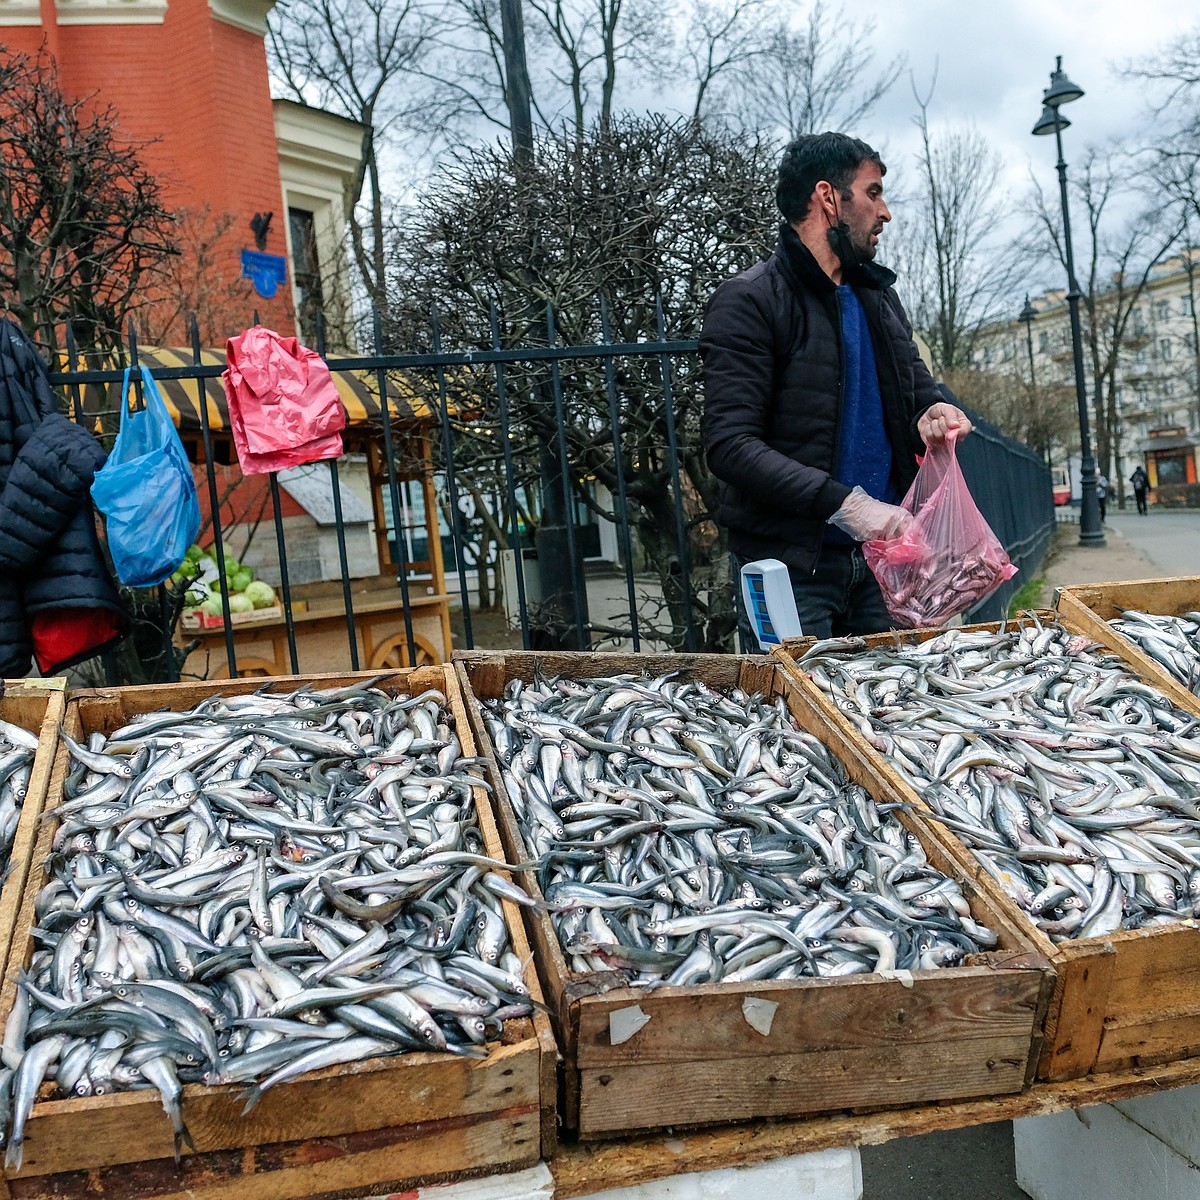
(844, 963)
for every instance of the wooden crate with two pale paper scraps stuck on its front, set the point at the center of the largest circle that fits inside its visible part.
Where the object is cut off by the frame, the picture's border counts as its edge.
(865, 1041)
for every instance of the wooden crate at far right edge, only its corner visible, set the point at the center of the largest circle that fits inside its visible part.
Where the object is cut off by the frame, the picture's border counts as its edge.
(1090, 609)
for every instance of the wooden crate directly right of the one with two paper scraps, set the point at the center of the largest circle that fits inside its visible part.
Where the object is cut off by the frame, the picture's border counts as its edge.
(1120, 1001)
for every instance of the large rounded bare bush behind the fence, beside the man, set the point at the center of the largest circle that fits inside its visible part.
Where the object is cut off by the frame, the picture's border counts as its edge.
(647, 209)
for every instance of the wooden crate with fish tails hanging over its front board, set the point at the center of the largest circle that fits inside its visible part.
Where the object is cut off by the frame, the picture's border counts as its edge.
(376, 1125)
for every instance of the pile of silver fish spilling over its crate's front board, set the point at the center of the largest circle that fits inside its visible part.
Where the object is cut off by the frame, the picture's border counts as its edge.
(256, 889)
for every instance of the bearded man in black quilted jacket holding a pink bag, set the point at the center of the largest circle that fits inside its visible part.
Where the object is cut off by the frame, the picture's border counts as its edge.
(817, 400)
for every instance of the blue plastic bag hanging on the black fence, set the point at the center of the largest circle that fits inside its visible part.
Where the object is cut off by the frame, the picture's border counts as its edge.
(147, 493)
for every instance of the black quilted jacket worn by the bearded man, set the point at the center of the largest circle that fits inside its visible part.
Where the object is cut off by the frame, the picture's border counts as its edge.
(773, 376)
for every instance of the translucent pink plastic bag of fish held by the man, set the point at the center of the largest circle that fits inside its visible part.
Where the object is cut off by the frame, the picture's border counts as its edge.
(949, 559)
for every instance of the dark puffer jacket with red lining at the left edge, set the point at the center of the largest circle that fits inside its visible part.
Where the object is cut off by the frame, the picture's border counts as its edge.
(57, 598)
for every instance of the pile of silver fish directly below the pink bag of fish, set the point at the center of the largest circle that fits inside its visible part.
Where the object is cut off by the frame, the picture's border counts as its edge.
(1076, 784)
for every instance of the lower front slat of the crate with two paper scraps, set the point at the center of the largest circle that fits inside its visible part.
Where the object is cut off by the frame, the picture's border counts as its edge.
(621, 1099)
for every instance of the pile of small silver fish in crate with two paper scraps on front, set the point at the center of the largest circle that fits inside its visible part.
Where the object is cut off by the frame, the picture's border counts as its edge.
(688, 837)
